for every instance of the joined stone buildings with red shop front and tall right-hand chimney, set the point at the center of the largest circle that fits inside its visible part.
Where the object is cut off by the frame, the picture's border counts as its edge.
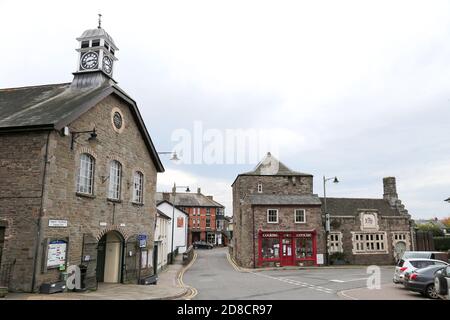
(279, 221)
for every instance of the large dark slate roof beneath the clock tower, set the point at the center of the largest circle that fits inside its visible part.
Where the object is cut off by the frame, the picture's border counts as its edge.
(54, 106)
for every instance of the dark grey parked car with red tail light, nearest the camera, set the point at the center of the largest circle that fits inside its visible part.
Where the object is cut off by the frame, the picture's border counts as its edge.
(422, 281)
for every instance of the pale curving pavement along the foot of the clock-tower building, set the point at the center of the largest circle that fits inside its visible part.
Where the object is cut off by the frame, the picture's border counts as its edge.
(169, 286)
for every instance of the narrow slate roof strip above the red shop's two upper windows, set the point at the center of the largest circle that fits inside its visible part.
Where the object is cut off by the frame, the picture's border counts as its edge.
(269, 199)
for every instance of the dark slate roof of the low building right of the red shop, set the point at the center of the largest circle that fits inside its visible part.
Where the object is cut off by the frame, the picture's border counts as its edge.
(350, 206)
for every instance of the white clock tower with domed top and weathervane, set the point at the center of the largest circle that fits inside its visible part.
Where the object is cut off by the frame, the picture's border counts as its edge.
(96, 54)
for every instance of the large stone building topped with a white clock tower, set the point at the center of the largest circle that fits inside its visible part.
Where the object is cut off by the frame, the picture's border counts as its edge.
(77, 177)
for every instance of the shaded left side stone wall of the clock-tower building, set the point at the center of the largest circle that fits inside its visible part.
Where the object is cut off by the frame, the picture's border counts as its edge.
(22, 158)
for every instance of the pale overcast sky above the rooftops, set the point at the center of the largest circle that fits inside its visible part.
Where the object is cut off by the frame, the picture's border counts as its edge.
(357, 89)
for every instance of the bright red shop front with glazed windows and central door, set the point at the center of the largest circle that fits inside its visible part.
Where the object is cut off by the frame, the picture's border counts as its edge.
(287, 248)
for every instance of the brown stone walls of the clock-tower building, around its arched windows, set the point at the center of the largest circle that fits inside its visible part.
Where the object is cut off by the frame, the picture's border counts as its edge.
(21, 160)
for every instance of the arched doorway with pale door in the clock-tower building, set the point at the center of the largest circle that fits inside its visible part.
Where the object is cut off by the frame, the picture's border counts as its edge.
(110, 257)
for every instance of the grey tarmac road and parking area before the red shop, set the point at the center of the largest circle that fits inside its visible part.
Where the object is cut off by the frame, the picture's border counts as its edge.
(215, 276)
